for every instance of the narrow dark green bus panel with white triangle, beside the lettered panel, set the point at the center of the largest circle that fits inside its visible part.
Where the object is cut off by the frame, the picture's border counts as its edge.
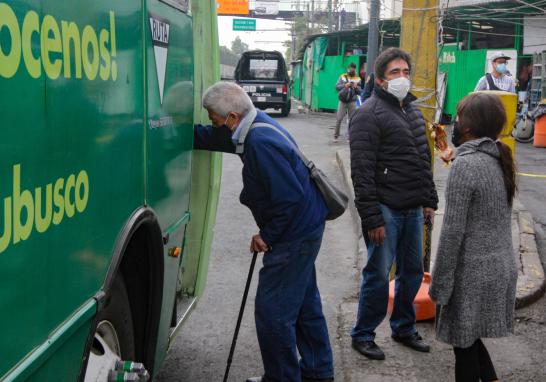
(169, 138)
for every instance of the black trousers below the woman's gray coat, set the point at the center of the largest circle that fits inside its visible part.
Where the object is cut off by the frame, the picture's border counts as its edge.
(473, 364)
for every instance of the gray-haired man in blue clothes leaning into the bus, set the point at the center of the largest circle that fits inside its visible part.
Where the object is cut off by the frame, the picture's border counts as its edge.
(290, 214)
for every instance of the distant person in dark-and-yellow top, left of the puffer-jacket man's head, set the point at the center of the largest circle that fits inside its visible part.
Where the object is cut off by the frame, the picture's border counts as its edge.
(348, 87)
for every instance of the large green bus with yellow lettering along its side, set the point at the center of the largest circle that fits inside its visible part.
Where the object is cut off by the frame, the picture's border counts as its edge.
(106, 210)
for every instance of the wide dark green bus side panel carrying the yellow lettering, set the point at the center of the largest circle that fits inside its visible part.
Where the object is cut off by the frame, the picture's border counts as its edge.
(71, 158)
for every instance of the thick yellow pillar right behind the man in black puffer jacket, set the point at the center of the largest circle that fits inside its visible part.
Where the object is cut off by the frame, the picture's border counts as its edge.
(419, 37)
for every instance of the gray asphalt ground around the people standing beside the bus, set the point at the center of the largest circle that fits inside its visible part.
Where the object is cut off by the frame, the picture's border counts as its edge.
(200, 352)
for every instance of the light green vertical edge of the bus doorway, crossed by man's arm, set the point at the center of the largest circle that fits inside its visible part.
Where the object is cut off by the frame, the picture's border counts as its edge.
(206, 166)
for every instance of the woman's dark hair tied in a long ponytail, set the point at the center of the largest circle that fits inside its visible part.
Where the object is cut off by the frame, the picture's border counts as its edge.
(483, 114)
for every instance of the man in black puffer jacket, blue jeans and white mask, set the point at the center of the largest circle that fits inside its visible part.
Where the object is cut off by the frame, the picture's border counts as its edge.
(394, 194)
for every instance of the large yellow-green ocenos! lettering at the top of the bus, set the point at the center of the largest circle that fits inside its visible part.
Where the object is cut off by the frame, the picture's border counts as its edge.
(59, 47)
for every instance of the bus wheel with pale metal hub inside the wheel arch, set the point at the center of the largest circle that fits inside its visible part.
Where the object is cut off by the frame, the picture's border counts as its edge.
(114, 335)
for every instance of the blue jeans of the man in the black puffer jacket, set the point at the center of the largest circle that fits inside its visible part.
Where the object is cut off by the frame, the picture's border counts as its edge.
(403, 242)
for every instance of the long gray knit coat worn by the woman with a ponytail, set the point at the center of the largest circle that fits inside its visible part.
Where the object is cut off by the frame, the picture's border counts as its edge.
(474, 276)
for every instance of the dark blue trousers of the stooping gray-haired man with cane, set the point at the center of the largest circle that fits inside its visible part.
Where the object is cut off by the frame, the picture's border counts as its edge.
(288, 313)
